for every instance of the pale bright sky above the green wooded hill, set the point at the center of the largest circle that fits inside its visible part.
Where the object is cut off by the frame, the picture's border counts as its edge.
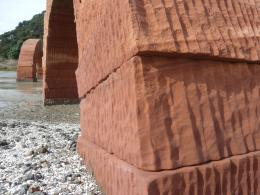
(14, 11)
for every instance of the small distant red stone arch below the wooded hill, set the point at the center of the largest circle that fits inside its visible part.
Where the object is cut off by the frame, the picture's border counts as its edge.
(30, 61)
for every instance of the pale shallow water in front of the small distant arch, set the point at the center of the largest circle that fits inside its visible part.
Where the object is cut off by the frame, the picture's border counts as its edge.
(12, 92)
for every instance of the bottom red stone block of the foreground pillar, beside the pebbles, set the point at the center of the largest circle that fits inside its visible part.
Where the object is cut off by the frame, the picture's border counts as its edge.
(231, 176)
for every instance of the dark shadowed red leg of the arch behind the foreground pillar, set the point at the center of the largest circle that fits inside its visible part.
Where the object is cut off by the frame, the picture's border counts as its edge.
(60, 59)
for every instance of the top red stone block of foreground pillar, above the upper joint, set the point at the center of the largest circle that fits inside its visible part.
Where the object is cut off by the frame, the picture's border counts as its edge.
(112, 31)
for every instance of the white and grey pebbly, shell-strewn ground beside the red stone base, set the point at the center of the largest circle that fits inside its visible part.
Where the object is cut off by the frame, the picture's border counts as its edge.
(40, 158)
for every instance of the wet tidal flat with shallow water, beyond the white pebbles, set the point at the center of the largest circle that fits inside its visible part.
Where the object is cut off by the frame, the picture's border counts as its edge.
(23, 100)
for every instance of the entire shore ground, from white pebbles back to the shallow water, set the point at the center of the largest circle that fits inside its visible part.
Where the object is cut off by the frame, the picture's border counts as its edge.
(37, 143)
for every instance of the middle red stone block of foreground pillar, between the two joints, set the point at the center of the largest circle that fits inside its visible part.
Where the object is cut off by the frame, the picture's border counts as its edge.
(161, 113)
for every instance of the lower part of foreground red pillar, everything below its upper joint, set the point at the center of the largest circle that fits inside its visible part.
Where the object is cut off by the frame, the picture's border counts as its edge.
(174, 126)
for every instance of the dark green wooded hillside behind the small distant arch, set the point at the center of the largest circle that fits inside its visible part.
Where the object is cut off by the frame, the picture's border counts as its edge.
(11, 42)
